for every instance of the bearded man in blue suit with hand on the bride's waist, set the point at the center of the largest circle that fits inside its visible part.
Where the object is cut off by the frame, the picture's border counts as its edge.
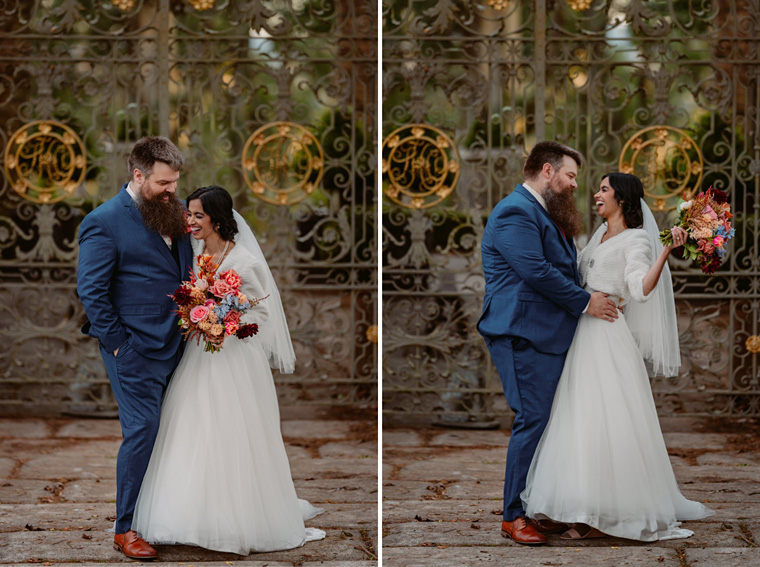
(532, 303)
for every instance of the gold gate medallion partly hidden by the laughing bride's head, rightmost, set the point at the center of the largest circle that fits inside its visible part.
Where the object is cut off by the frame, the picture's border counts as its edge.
(668, 162)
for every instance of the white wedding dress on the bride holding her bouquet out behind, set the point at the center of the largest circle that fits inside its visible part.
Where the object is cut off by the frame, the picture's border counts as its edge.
(602, 460)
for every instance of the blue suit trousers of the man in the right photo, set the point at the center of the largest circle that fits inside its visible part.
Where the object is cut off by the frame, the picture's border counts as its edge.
(529, 379)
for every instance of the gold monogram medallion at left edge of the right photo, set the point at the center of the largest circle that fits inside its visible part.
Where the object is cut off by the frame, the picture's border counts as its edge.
(420, 165)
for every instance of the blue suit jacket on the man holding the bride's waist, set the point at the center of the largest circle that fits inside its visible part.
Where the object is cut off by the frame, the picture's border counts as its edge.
(532, 286)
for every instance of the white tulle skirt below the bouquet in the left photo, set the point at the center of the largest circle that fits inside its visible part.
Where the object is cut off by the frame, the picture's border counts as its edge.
(219, 476)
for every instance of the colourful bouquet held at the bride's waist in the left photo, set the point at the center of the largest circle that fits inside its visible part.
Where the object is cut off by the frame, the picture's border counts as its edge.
(210, 306)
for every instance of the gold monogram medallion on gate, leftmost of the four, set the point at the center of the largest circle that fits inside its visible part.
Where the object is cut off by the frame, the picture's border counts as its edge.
(45, 161)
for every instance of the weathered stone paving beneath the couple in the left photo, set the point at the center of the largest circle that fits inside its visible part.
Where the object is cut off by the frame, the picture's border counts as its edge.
(58, 490)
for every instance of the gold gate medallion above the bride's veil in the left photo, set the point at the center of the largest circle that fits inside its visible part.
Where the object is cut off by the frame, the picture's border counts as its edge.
(283, 163)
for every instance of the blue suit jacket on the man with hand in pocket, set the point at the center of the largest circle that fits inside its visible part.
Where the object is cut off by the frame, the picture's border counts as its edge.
(125, 275)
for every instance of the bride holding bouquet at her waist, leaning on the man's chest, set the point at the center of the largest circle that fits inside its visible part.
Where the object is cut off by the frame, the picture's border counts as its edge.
(219, 476)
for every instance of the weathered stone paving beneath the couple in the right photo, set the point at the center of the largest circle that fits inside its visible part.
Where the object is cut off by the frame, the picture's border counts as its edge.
(442, 493)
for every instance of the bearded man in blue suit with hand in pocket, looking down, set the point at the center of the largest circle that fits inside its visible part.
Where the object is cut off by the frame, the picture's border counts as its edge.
(133, 252)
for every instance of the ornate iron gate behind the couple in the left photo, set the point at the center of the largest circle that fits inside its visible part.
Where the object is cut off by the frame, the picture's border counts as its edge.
(274, 100)
